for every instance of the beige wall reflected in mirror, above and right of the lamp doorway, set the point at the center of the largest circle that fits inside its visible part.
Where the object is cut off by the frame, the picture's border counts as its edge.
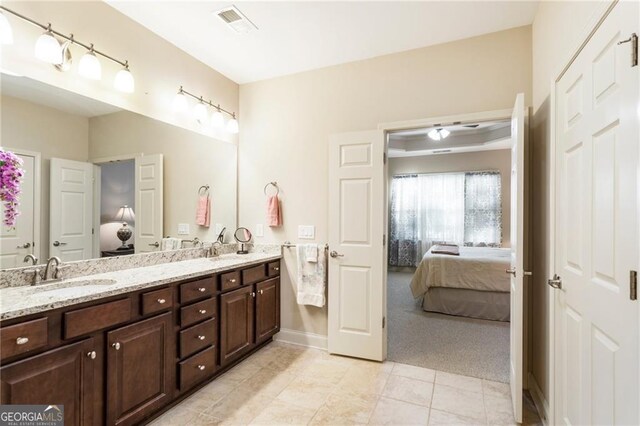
(190, 160)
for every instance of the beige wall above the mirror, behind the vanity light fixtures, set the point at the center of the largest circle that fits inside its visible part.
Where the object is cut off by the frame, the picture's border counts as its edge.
(159, 68)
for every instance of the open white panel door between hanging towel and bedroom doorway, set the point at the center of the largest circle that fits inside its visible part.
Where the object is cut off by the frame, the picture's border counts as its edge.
(356, 261)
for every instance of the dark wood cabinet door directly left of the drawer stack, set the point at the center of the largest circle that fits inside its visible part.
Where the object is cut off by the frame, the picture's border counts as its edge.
(139, 369)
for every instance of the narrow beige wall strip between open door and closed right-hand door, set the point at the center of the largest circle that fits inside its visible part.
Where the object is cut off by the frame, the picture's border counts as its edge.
(557, 31)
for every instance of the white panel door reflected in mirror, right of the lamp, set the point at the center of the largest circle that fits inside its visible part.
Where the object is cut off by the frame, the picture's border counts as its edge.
(149, 196)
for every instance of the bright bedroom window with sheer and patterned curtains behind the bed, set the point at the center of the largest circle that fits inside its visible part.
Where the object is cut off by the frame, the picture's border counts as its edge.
(426, 209)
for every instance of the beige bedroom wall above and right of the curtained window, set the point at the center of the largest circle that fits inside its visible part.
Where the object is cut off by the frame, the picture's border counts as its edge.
(499, 160)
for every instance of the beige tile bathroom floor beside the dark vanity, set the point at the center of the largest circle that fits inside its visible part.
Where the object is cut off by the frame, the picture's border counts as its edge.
(285, 384)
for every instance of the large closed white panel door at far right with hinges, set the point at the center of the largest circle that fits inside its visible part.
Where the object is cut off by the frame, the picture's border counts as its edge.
(596, 247)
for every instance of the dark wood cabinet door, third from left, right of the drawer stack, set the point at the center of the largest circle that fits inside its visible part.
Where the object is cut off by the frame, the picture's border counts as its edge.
(236, 323)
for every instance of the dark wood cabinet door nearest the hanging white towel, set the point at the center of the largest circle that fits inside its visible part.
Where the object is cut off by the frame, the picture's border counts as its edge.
(267, 309)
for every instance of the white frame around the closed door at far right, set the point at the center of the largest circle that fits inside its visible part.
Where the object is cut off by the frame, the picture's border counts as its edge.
(601, 12)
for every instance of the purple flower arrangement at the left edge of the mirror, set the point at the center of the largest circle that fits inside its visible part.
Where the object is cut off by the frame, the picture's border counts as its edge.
(11, 174)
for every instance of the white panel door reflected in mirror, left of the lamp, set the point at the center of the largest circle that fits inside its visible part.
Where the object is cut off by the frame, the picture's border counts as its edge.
(71, 210)
